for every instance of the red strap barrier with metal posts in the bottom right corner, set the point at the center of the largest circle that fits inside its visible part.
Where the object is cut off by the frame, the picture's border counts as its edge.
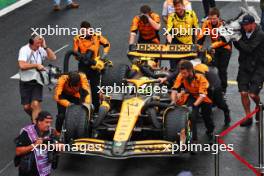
(259, 170)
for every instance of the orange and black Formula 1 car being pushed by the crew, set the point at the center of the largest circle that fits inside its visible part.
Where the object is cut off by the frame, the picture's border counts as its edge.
(137, 121)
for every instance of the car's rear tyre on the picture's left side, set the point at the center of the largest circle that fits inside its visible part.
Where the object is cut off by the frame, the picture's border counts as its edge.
(114, 74)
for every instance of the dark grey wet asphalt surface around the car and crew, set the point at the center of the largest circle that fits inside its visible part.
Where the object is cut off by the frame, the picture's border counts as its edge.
(114, 18)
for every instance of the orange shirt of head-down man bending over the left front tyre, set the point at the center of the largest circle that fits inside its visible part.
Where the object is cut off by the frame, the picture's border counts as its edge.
(63, 87)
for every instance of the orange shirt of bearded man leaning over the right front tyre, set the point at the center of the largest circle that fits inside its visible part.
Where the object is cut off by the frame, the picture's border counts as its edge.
(198, 86)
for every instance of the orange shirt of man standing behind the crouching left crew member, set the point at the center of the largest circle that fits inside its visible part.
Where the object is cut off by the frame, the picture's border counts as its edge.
(80, 44)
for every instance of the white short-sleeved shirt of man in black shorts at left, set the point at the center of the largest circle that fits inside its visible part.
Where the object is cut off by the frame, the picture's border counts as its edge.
(32, 57)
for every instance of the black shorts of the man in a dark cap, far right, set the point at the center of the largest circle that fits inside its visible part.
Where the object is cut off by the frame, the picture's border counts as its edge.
(250, 83)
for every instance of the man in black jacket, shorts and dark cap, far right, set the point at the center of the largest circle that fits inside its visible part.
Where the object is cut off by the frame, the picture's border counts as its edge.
(250, 76)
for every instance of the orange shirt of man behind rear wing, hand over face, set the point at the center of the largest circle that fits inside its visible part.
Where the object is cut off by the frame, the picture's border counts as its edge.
(146, 31)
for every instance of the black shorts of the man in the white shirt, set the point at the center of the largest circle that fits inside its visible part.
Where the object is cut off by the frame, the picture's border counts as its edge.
(30, 91)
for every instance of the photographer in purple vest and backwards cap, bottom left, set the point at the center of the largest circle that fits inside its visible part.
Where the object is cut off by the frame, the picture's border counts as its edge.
(29, 159)
